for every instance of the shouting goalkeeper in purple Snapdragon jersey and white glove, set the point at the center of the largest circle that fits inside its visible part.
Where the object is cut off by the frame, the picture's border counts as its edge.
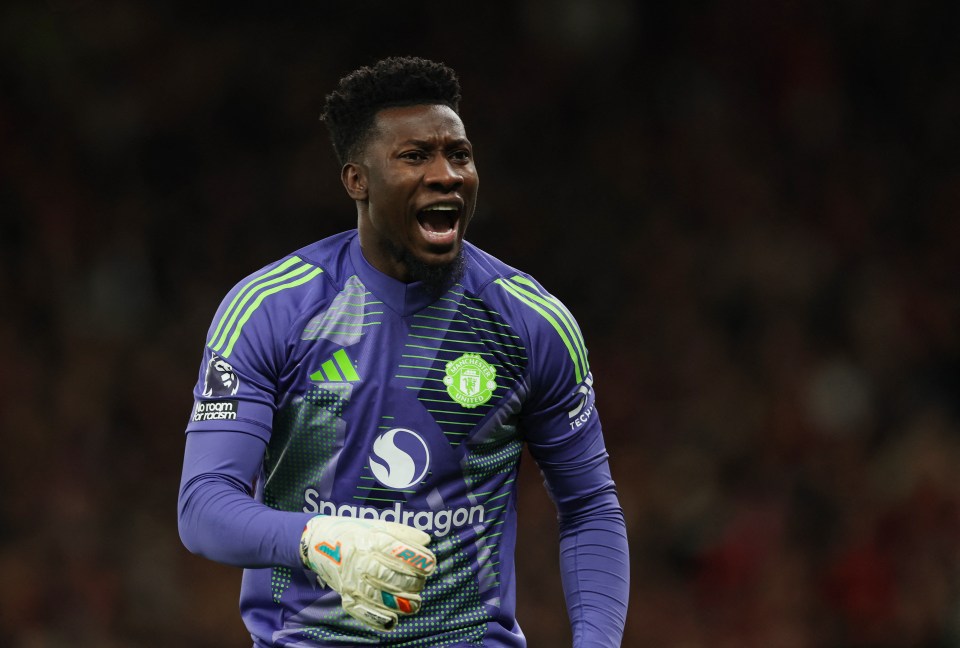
(362, 405)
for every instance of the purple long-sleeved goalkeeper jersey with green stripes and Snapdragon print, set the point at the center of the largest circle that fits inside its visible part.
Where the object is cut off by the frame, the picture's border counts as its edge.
(346, 392)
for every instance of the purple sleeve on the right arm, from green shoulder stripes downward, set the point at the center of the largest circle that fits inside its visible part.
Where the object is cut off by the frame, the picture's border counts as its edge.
(562, 429)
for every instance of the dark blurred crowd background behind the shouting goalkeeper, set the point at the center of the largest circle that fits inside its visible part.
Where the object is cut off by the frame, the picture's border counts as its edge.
(752, 206)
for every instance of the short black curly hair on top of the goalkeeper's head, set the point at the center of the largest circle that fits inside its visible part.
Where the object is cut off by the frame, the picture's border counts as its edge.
(396, 81)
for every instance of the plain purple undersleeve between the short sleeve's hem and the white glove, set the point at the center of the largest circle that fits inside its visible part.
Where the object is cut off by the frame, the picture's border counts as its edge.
(217, 514)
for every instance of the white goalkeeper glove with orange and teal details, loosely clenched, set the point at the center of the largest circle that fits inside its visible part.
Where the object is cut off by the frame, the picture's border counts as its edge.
(377, 567)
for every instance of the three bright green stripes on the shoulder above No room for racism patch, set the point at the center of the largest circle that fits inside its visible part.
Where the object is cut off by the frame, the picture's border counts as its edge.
(251, 296)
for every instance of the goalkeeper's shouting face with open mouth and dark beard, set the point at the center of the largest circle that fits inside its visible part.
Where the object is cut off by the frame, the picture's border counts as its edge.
(420, 186)
